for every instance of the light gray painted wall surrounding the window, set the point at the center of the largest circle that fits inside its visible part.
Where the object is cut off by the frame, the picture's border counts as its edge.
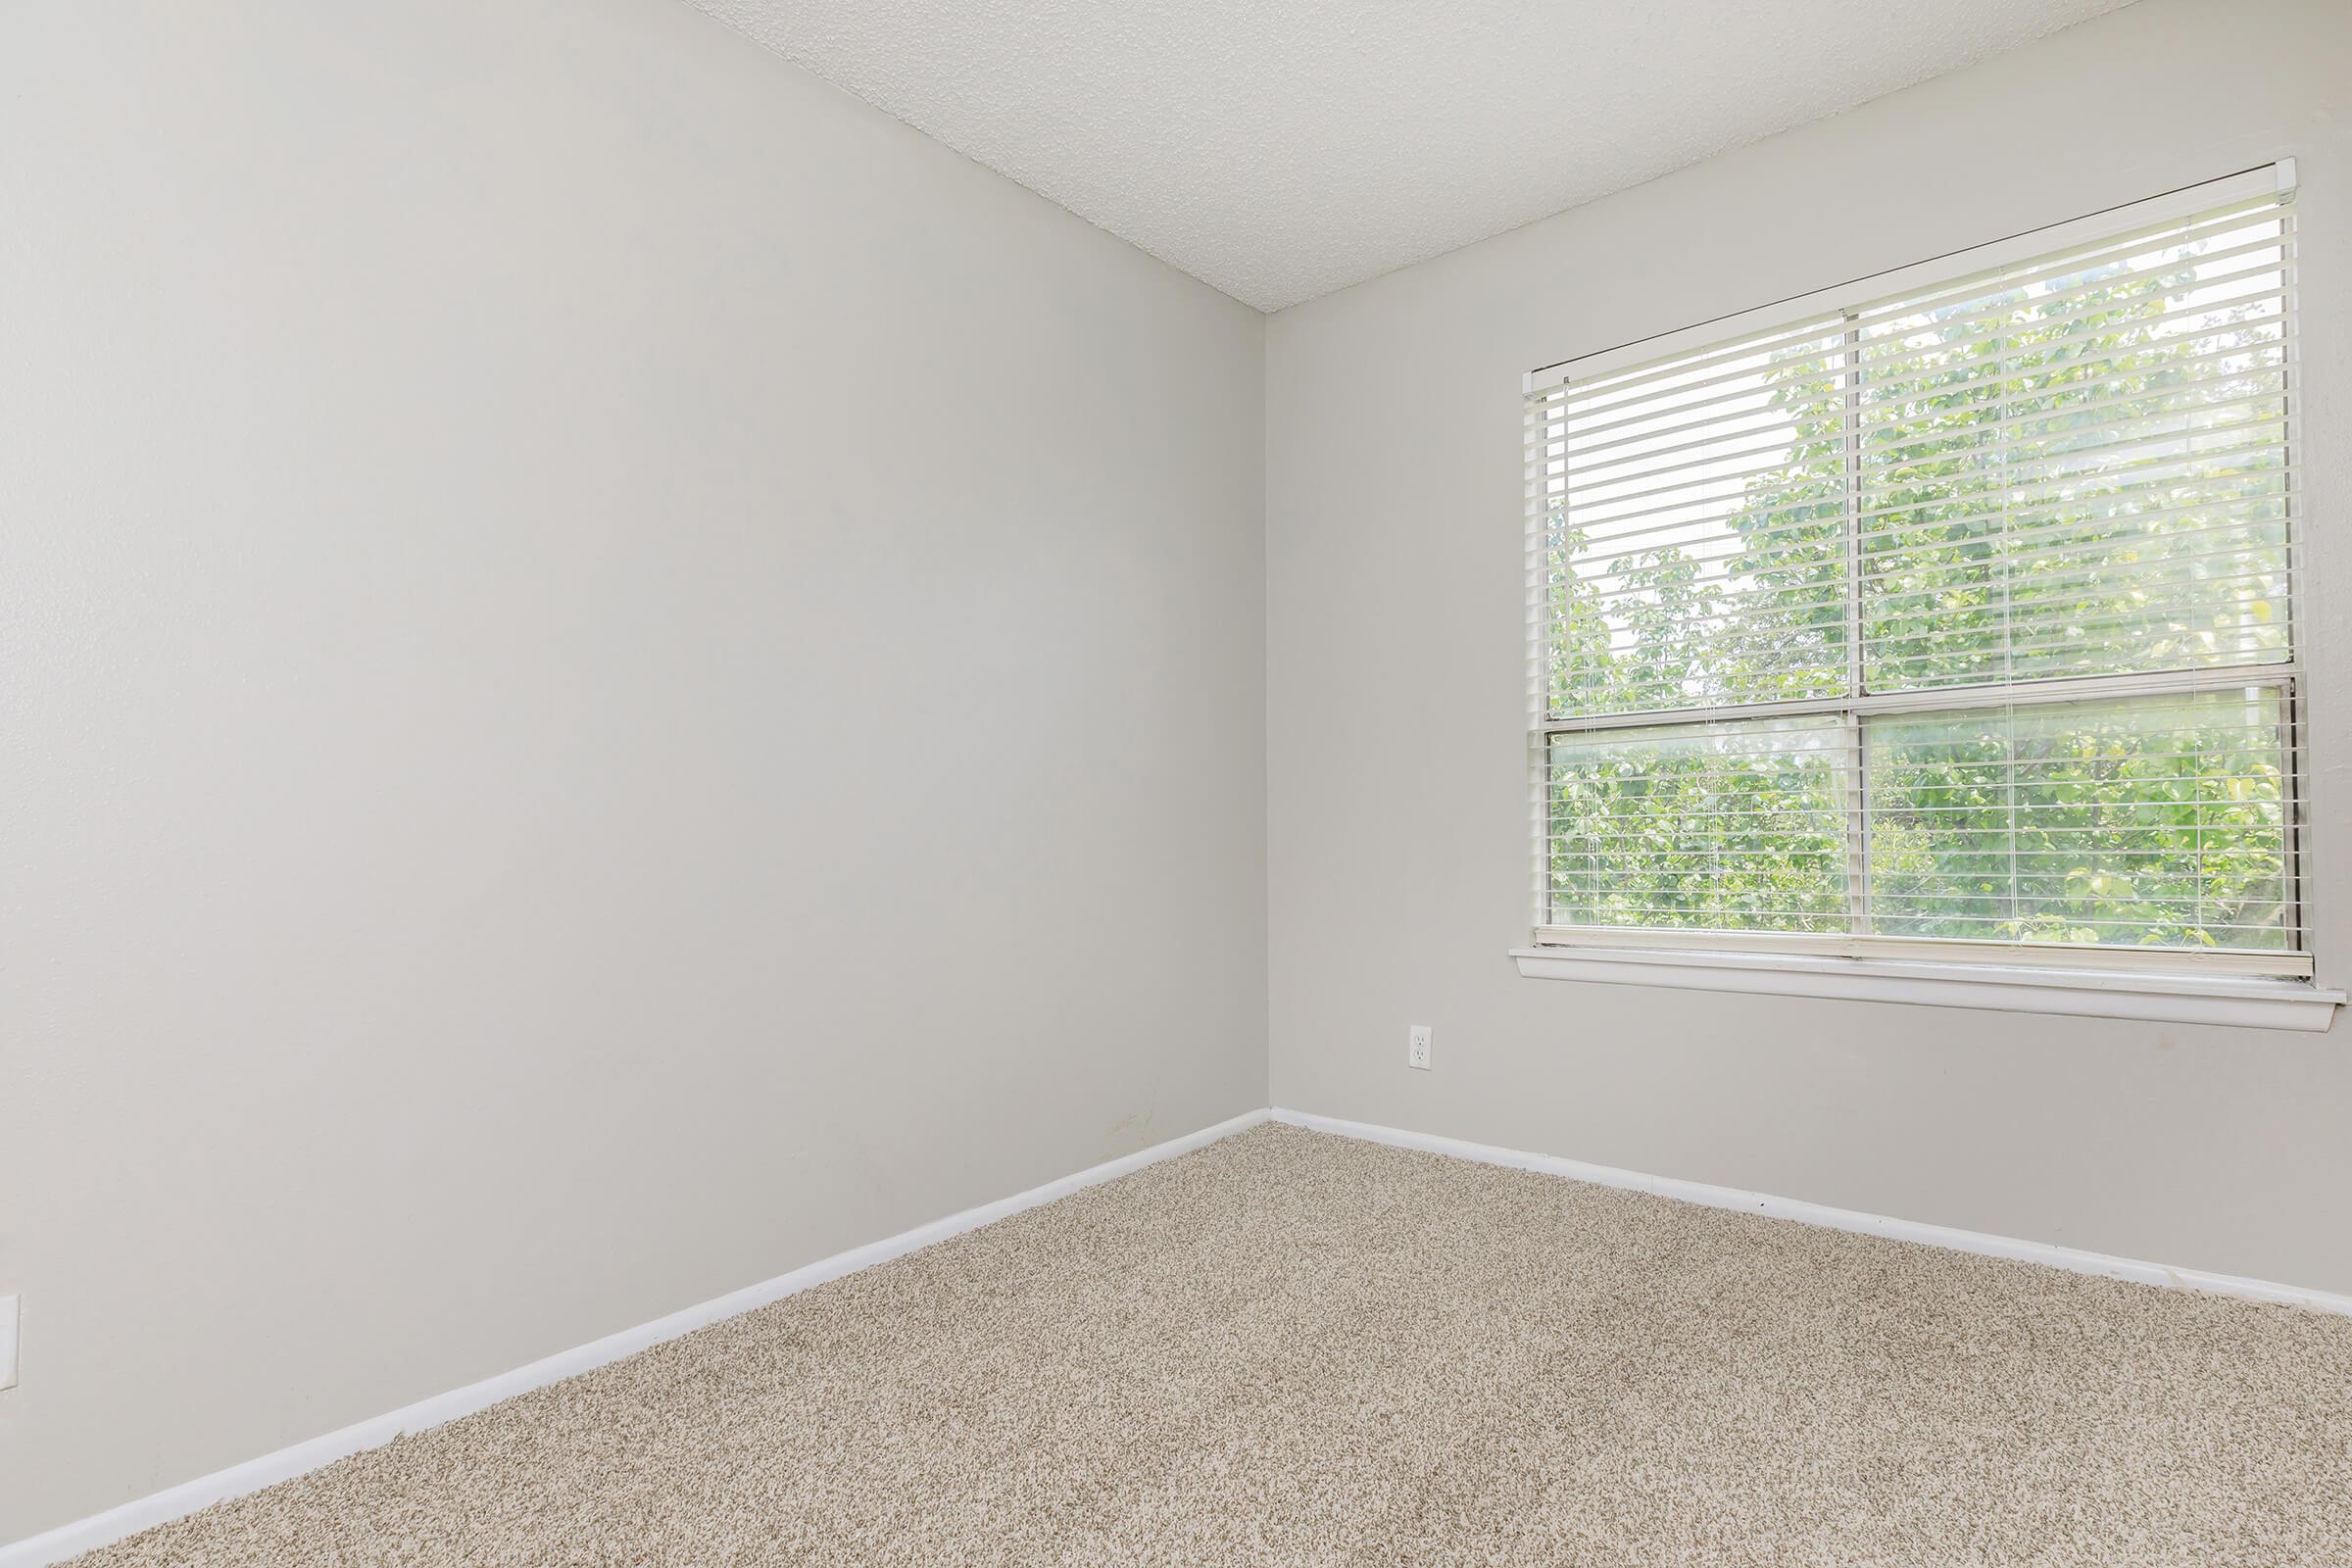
(1398, 791)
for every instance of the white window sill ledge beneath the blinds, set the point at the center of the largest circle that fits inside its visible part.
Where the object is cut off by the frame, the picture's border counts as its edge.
(2005, 989)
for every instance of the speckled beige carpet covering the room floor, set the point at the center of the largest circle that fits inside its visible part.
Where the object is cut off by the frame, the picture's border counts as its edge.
(1302, 1351)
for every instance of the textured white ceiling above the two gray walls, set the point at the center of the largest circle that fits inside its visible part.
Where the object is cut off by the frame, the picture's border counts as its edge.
(1283, 149)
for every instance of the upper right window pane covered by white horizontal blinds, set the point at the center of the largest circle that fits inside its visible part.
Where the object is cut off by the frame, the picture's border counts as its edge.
(2083, 467)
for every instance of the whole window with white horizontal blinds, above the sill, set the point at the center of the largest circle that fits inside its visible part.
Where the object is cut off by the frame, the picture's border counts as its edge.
(1953, 624)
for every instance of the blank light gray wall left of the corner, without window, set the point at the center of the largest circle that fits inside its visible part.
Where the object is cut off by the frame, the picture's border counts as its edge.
(606, 655)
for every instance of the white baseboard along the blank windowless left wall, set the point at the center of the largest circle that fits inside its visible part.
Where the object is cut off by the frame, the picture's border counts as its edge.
(272, 1468)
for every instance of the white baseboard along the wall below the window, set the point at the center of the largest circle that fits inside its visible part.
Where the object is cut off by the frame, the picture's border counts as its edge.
(1836, 1219)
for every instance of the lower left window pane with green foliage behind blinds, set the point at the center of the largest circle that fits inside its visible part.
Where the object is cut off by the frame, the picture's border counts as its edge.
(1704, 826)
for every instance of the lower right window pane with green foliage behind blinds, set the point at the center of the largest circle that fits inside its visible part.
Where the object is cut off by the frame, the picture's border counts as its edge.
(2146, 822)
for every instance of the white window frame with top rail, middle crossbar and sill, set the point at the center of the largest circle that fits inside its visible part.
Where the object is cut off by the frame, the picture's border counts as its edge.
(2144, 984)
